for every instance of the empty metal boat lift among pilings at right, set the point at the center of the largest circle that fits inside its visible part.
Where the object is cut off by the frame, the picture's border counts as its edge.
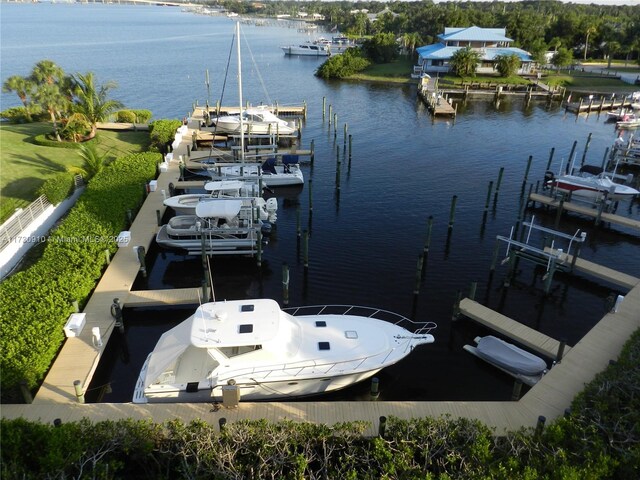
(549, 255)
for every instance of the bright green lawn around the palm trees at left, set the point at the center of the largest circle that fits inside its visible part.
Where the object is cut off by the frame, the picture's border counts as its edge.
(24, 166)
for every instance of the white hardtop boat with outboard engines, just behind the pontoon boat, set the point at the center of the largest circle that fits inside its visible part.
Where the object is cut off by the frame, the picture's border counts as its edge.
(185, 204)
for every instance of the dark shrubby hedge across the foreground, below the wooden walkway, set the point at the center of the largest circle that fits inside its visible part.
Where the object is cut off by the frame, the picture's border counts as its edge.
(599, 440)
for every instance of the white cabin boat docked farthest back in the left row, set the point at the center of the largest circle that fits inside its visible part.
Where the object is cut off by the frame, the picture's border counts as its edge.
(258, 120)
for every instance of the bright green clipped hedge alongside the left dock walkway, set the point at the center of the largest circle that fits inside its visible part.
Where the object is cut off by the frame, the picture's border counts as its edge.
(37, 302)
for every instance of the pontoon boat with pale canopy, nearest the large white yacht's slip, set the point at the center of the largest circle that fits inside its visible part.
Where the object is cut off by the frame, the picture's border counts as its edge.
(220, 226)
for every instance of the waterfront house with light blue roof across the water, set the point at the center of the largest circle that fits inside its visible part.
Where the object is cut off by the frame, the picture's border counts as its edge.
(490, 42)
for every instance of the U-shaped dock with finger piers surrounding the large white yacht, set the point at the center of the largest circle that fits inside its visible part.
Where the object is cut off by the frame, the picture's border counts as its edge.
(70, 375)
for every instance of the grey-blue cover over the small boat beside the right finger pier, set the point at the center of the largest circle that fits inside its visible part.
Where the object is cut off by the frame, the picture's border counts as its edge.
(510, 357)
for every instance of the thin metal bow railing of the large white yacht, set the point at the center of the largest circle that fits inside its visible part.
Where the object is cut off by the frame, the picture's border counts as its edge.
(417, 328)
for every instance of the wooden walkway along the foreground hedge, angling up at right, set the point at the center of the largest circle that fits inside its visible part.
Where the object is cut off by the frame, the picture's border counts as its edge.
(548, 398)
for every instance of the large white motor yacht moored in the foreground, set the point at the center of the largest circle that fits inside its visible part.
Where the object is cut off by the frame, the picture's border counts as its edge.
(268, 353)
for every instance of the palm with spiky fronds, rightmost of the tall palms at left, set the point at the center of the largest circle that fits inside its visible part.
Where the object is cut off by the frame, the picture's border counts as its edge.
(92, 101)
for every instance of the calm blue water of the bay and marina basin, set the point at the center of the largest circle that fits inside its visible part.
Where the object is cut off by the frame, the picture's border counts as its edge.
(365, 238)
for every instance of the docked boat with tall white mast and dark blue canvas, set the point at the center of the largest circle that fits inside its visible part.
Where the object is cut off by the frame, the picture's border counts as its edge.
(273, 174)
